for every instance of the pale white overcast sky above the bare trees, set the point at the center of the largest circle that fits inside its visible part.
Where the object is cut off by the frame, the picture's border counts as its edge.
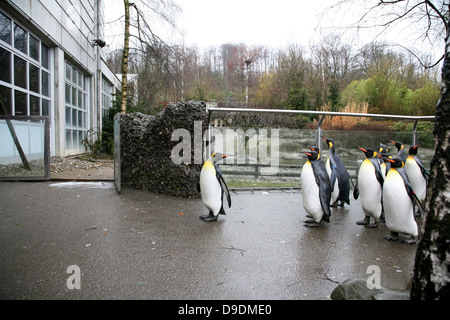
(272, 23)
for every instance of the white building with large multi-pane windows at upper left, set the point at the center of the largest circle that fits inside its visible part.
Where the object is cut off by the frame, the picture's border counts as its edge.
(51, 64)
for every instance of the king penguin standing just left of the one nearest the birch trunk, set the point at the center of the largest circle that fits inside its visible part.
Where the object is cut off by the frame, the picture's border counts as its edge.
(370, 187)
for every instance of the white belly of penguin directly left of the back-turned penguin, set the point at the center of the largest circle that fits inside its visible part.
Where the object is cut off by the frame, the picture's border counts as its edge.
(310, 193)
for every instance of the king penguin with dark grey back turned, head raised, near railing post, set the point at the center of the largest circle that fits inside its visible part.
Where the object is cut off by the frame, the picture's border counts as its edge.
(340, 191)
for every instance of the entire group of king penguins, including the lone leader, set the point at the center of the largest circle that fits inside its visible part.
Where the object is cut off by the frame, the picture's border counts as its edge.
(389, 188)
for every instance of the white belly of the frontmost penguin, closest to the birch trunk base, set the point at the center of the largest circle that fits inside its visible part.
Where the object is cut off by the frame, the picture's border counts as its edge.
(398, 208)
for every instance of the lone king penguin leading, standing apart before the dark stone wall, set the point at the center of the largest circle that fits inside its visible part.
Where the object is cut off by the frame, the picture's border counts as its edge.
(213, 187)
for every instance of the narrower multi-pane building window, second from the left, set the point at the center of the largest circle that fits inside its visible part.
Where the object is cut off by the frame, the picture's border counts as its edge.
(76, 107)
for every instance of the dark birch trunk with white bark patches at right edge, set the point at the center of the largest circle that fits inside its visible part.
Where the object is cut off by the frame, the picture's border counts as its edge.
(431, 278)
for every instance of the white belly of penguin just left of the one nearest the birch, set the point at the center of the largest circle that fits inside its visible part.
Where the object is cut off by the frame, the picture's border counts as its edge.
(369, 190)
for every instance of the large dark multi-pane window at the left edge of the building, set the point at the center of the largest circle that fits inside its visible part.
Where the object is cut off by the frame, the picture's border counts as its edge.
(25, 75)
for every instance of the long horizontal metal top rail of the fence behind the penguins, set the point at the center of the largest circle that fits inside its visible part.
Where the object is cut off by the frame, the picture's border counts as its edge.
(328, 113)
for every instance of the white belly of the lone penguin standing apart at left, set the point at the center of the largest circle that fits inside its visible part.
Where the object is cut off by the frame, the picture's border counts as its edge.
(210, 188)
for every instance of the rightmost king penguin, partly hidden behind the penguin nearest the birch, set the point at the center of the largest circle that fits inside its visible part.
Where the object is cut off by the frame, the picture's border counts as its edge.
(417, 174)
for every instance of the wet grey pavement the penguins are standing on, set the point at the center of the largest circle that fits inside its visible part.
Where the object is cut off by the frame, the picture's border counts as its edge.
(141, 245)
